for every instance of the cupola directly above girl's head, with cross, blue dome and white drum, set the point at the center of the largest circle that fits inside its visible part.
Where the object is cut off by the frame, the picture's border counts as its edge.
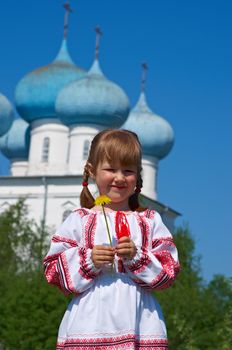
(87, 106)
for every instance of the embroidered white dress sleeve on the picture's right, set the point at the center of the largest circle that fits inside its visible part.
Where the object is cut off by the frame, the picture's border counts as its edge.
(155, 265)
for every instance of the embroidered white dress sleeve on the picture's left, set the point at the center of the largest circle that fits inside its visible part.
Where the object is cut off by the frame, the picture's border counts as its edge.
(68, 264)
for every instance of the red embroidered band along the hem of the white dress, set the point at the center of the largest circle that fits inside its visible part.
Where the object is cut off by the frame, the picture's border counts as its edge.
(114, 343)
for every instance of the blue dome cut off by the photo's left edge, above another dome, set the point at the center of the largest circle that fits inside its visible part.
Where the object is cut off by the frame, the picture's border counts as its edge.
(6, 114)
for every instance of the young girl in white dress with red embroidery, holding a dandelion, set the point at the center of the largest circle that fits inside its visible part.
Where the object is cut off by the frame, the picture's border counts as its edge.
(113, 307)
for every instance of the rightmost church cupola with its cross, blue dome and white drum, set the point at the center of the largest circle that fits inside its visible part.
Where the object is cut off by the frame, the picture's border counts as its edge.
(156, 137)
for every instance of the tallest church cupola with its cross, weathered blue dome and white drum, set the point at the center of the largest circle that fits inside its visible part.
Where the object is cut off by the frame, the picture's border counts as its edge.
(35, 101)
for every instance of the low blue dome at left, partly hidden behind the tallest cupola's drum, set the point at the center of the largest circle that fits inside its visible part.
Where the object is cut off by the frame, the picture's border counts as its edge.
(15, 143)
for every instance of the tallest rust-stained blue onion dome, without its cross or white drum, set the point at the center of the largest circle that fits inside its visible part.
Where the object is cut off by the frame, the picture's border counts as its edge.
(36, 93)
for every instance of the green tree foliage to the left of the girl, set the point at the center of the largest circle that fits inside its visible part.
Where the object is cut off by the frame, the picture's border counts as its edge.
(30, 309)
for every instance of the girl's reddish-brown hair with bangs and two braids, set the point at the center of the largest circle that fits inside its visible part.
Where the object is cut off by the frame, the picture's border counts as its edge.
(113, 145)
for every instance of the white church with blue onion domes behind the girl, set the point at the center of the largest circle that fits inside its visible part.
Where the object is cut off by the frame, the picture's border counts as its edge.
(61, 107)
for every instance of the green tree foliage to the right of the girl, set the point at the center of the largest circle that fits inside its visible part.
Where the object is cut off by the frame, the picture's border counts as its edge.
(198, 316)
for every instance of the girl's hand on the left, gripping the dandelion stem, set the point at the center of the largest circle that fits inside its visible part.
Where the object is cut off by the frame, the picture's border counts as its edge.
(102, 255)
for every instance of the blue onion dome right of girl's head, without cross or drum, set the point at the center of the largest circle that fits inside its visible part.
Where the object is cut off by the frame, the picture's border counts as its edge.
(155, 133)
